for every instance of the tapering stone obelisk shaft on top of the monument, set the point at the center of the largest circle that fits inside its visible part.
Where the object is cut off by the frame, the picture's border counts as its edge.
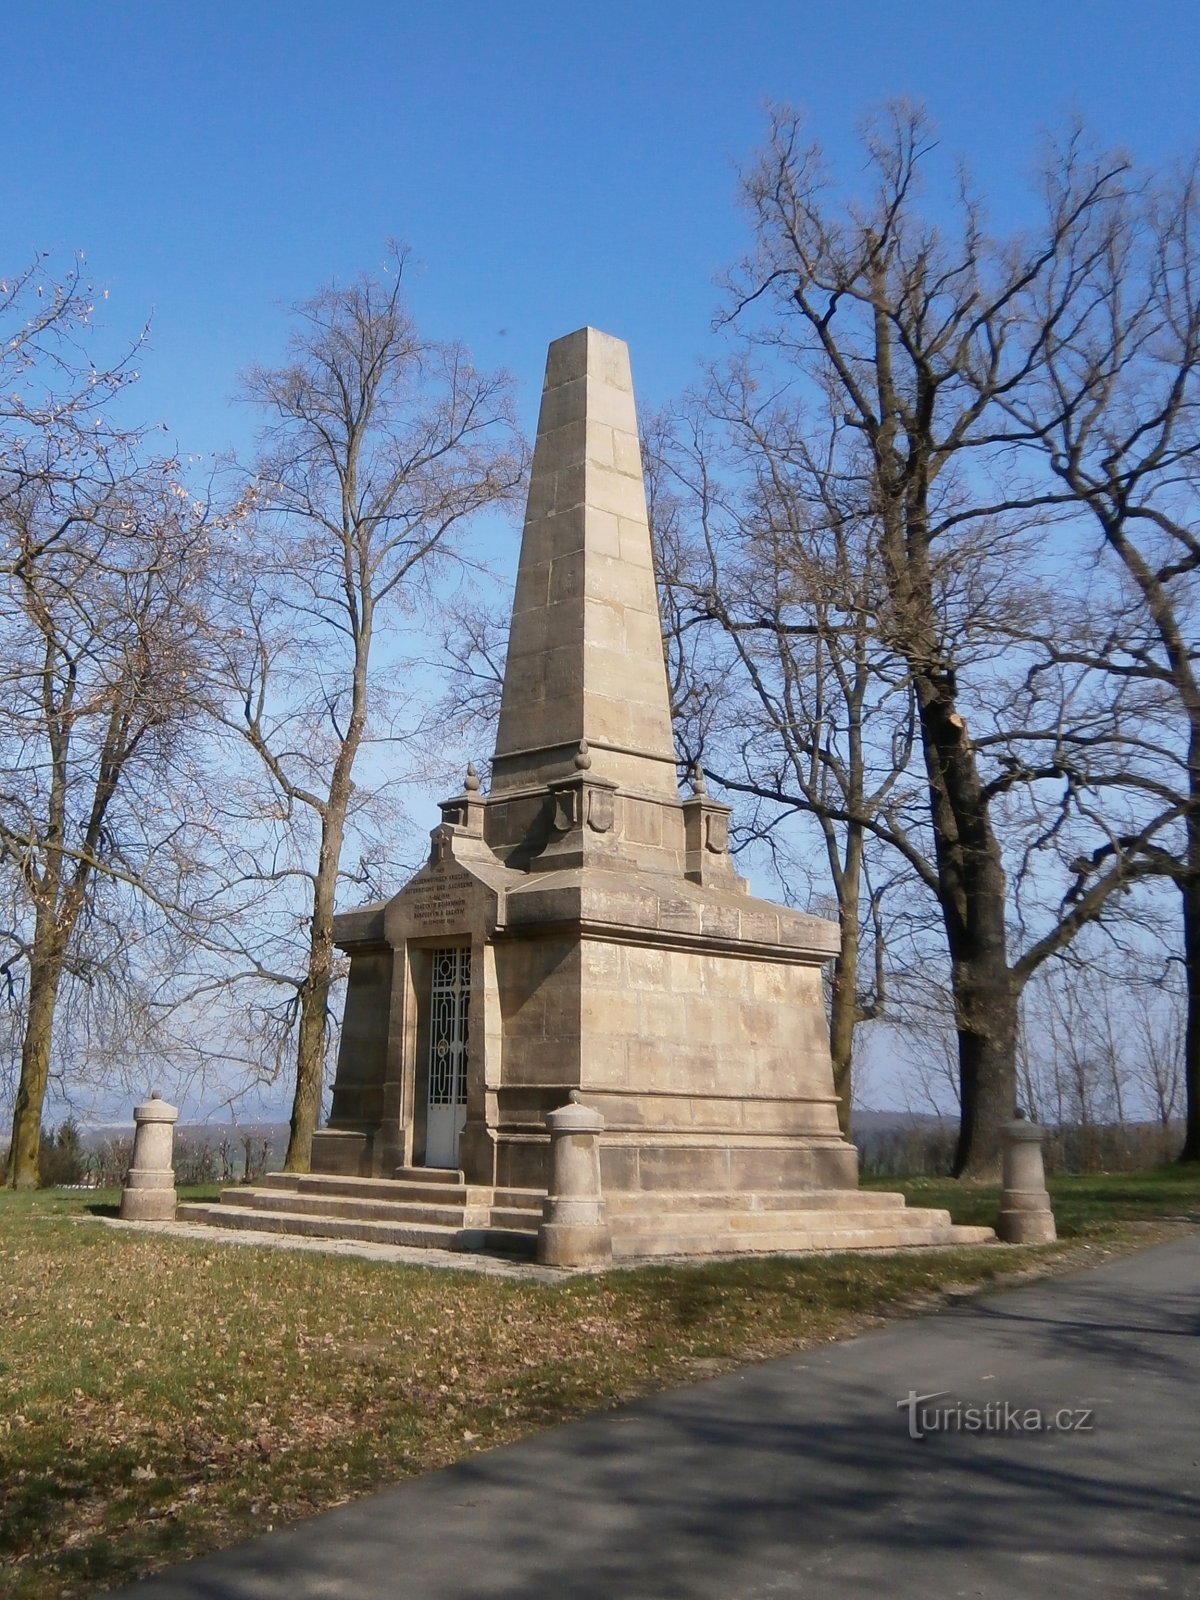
(586, 644)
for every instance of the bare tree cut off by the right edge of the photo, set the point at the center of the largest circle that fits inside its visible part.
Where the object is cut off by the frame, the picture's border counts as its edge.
(1118, 414)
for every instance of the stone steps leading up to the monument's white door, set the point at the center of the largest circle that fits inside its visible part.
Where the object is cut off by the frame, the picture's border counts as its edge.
(426, 1207)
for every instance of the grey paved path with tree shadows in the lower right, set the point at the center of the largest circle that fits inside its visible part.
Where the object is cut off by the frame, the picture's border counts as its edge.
(799, 1478)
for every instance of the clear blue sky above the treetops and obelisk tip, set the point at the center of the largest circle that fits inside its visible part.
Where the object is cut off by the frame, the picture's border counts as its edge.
(551, 164)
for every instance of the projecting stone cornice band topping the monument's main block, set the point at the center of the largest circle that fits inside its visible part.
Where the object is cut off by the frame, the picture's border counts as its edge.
(666, 910)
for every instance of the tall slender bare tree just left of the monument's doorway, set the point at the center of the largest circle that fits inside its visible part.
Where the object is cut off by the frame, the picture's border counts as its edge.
(382, 444)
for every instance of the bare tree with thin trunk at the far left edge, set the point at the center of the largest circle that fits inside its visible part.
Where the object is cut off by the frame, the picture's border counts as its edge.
(102, 625)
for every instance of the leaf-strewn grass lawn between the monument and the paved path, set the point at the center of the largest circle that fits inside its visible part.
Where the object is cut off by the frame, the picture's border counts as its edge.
(162, 1398)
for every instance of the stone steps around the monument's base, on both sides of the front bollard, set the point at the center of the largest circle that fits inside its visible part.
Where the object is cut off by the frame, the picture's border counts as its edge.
(436, 1209)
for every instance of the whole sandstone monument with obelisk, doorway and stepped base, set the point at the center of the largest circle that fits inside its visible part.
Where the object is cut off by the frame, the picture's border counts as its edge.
(580, 934)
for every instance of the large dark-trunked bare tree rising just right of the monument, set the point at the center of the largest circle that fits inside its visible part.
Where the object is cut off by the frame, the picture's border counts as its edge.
(914, 338)
